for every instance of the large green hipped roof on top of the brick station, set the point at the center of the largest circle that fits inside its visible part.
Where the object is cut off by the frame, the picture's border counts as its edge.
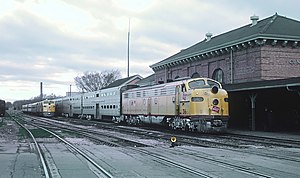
(275, 27)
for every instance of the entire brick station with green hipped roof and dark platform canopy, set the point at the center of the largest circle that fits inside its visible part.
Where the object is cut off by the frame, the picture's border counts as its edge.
(258, 64)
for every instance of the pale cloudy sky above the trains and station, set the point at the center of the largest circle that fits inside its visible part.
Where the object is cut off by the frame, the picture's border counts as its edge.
(53, 41)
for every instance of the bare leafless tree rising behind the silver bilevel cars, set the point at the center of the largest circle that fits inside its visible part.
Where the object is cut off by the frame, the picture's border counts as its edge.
(92, 81)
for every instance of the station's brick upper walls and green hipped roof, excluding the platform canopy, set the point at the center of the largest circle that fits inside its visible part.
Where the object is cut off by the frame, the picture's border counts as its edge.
(263, 50)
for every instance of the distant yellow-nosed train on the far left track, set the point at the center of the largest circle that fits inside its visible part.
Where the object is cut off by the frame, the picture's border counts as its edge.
(45, 108)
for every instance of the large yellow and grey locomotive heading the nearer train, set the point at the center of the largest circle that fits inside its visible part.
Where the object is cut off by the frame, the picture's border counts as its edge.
(198, 104)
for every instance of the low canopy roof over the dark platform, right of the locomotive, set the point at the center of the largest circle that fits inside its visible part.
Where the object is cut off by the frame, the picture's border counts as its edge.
(265, 84)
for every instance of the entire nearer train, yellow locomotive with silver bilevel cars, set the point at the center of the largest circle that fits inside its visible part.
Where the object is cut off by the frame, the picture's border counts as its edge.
(194, 104)
